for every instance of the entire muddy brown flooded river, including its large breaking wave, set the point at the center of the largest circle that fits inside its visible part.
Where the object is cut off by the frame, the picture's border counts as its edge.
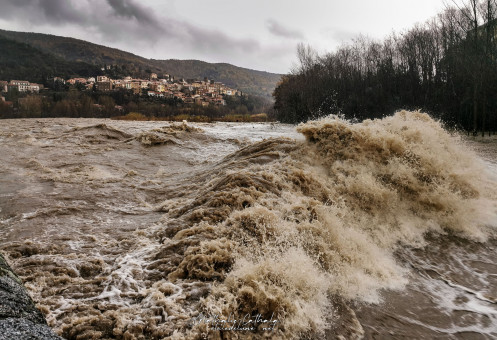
(149, 230)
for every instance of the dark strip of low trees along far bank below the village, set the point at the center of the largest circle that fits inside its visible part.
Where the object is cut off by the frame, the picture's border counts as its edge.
(64, 101)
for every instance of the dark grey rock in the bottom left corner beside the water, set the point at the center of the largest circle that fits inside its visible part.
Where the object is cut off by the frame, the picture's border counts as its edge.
(19, 318)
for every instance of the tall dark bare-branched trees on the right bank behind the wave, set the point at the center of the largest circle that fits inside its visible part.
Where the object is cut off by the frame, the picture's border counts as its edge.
(446, 66)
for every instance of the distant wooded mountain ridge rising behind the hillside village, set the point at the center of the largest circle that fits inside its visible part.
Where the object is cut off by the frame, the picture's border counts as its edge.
(75, 50)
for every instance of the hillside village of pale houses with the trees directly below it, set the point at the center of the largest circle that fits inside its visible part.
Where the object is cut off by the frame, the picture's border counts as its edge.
(140, 98)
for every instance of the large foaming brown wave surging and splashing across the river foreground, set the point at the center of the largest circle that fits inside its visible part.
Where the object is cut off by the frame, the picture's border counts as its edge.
(290, 231)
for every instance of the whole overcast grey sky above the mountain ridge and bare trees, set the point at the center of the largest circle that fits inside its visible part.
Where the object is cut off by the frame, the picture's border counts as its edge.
(258, 34)
